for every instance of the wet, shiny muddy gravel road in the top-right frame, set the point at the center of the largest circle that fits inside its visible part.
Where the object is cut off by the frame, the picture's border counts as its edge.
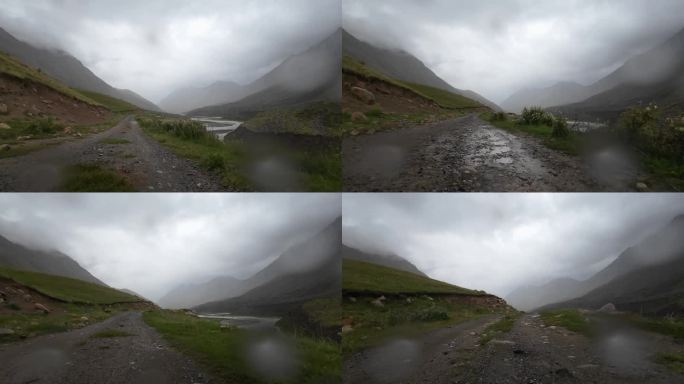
(464, 154)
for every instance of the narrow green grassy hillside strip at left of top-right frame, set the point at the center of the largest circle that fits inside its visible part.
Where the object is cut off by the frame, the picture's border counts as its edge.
(444, 99)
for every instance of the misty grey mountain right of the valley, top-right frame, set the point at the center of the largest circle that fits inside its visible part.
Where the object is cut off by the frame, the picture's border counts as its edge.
(653, 76)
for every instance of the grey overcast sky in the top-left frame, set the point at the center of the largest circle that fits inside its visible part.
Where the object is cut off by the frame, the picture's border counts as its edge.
(156, 46)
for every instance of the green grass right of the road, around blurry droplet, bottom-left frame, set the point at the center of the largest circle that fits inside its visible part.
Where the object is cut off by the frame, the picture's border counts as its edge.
(224, 351)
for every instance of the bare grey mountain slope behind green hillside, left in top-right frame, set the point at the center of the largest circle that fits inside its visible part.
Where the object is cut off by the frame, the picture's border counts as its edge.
(402, 66)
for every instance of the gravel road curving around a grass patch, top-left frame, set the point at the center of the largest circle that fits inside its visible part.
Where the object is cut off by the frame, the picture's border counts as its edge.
(148, 165)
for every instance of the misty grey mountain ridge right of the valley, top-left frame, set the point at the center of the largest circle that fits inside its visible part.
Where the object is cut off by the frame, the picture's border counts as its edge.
(310, 76)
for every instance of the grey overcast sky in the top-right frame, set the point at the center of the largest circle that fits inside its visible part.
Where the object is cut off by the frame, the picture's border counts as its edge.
(496, 47)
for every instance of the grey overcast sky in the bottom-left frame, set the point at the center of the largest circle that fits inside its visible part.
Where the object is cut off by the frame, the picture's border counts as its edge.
(151, 243)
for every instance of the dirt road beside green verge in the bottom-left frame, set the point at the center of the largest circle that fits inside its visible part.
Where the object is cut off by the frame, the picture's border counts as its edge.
(74, 357)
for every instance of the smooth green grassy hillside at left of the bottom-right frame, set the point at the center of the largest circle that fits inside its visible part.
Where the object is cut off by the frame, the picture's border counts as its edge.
(364, 277)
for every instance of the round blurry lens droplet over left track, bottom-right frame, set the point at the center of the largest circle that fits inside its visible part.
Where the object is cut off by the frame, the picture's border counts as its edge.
(393, 362)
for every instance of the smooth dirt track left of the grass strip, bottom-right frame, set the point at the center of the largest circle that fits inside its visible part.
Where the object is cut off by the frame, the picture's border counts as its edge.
(424, 359)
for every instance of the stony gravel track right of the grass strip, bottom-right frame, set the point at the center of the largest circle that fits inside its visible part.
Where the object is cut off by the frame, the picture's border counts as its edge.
(533, 353)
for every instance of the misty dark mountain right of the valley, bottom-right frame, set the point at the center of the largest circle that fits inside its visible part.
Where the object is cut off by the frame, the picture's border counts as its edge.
(655, 253)
